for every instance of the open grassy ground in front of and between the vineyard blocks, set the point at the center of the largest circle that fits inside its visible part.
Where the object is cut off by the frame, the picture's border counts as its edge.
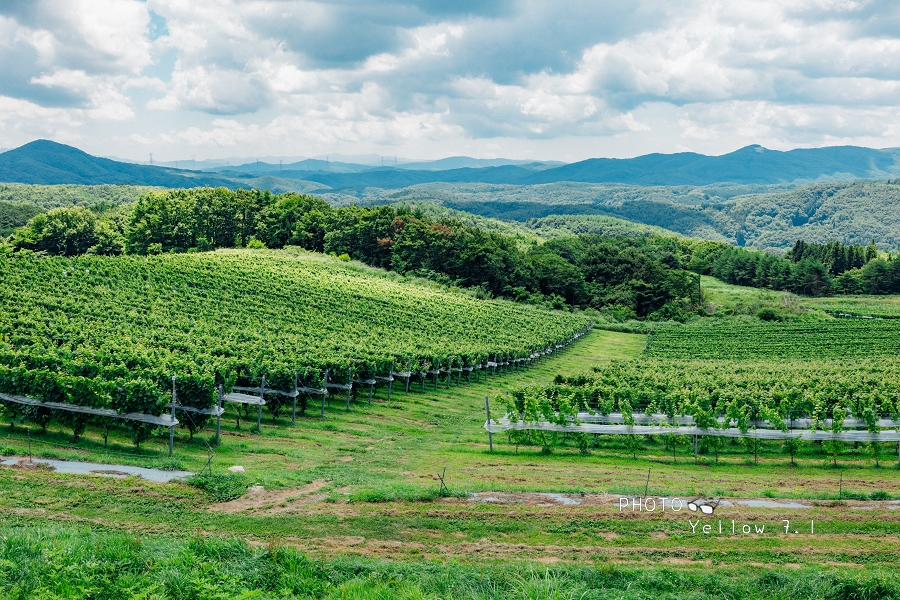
(352, 506)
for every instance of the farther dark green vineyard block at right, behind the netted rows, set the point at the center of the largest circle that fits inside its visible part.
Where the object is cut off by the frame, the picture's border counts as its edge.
(749, 339)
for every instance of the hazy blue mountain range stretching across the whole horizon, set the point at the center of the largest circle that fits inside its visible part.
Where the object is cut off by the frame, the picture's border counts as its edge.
(47, 162)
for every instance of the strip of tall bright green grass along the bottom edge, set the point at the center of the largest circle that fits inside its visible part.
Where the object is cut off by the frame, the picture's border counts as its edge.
(74, 562)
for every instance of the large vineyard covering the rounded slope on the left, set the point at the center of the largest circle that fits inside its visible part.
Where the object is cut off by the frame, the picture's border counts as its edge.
(109, 333)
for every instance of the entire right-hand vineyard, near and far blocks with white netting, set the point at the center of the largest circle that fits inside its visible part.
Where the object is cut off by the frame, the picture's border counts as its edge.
(833, 381)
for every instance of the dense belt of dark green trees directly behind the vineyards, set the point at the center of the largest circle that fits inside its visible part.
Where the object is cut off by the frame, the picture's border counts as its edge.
(649, 276)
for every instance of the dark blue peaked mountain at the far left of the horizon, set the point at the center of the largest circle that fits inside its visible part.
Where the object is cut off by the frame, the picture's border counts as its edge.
(46, 162)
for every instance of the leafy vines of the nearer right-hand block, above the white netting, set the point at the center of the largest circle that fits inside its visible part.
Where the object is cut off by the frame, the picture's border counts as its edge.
(725, 394)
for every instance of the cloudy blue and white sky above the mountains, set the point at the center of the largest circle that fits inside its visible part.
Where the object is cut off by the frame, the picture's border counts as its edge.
(551, 80)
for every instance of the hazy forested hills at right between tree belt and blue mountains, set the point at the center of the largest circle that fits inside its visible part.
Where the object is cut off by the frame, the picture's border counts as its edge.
(753, 216)
